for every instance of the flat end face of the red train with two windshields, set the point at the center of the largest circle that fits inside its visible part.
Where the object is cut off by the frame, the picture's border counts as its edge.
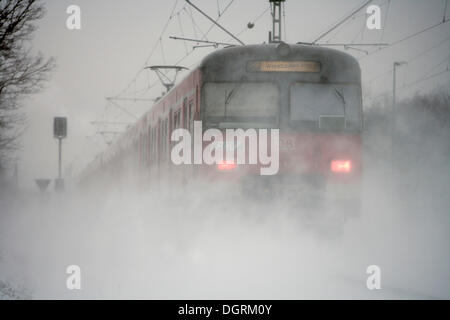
(312, 95)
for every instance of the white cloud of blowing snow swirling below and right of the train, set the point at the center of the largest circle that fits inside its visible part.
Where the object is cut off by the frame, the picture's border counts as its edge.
(212, 243)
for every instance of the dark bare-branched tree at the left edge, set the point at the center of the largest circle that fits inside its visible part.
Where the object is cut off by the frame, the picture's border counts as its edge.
(22, 72)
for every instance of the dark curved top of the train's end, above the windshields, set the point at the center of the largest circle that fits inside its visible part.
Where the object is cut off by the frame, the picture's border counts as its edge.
(232, 63)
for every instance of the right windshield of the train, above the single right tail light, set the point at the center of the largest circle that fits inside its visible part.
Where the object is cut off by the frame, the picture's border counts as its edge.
(325, 106)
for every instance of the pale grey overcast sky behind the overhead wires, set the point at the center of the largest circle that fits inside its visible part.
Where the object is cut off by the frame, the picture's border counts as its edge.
(117, 37)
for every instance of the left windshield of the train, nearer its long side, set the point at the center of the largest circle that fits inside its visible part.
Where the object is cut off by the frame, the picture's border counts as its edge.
(241, 105)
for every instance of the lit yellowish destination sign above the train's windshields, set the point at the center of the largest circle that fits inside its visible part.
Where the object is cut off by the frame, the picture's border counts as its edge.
(283, 66)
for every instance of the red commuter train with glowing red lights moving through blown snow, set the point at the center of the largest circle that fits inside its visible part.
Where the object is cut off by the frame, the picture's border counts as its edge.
(310, 94)
